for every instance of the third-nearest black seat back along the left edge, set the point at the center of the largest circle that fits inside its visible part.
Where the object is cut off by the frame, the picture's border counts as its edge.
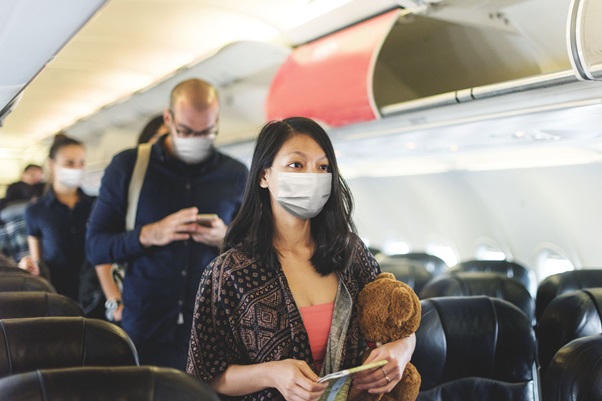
(22, 304)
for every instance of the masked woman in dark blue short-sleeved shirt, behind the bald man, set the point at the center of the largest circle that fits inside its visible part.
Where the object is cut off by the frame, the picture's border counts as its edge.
(56, 224)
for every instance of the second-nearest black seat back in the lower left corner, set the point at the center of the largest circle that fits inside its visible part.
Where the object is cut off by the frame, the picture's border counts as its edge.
(27, 344)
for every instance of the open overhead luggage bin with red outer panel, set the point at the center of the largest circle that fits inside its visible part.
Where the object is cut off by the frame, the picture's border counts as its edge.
(355, 74)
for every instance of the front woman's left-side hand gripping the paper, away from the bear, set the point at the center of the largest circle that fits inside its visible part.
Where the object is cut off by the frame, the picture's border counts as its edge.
(295, 380)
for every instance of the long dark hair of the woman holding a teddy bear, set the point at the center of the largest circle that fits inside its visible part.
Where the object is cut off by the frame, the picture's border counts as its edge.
(333, 229)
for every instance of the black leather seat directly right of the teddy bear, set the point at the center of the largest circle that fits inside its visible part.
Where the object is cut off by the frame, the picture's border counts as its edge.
(473, 349)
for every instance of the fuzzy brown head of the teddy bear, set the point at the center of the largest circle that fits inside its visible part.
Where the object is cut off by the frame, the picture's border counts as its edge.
(388, 310)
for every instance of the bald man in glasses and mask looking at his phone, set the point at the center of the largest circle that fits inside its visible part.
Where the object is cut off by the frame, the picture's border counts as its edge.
(189, 195)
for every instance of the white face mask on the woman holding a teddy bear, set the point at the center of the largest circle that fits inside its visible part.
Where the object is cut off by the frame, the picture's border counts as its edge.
(303, 194)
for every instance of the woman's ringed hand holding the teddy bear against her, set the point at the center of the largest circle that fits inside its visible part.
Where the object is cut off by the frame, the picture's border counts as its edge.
(382, 380)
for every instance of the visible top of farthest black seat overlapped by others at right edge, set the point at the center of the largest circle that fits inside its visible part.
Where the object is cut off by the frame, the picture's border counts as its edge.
(560, 283)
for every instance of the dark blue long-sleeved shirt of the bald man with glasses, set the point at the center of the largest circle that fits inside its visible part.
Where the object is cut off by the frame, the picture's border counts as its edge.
(161, 281)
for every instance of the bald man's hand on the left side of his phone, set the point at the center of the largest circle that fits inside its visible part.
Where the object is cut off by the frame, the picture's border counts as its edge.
(175, 227)
